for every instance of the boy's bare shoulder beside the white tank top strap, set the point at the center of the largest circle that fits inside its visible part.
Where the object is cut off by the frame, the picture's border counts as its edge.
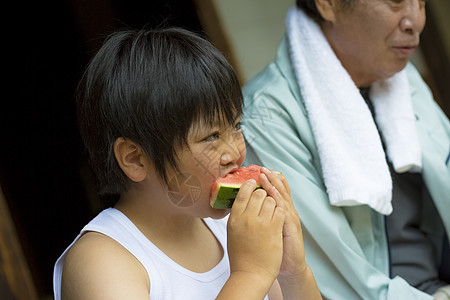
(96, 261)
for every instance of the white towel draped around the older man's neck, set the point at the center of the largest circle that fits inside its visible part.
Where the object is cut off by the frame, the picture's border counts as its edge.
(353, 161)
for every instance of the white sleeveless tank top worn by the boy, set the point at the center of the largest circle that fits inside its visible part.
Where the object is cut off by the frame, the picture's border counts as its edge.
(168, 279)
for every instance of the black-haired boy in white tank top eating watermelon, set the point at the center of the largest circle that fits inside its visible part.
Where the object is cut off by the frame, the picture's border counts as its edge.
(159, 112)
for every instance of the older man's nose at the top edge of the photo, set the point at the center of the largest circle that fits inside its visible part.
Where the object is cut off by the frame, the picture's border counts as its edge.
(413, 20)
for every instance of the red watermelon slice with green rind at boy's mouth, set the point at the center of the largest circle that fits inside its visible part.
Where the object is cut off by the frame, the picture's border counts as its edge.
(225, 189)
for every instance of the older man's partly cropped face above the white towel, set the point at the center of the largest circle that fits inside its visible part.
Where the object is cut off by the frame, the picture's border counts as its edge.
(373, 38)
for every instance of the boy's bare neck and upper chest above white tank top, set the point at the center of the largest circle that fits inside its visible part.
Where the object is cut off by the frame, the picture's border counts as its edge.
(186, 239)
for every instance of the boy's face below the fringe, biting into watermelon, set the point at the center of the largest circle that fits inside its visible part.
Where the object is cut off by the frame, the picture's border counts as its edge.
(213, 152)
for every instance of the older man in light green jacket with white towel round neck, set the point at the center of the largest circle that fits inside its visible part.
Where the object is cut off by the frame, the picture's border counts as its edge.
(350, 122)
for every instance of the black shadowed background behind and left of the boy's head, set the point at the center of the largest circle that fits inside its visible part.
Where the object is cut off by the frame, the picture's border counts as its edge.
(43, 171)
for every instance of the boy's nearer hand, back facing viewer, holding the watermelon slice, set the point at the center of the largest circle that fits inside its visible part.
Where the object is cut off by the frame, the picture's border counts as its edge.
(255, 243)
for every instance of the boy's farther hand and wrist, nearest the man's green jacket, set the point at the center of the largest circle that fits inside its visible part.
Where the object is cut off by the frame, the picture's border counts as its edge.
(293, 262)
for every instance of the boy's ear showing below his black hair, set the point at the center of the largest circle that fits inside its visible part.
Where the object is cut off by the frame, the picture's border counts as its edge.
(131, 159)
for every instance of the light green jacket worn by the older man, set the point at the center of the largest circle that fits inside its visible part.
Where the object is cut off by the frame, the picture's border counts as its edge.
(346, 247)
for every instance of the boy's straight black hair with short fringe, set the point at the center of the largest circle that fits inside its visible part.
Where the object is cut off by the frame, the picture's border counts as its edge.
(150, 86)
